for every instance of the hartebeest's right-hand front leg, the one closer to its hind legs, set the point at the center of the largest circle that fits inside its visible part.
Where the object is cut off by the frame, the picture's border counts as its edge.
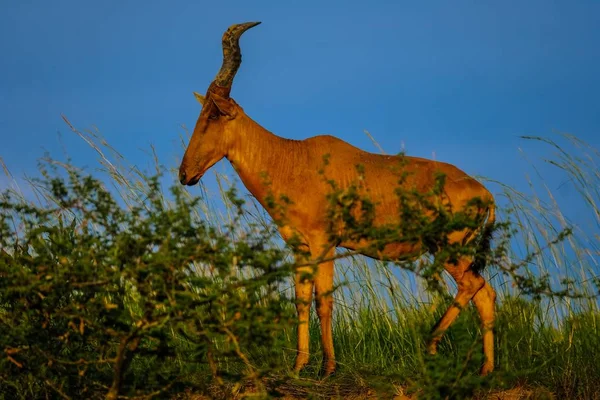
(324, 300)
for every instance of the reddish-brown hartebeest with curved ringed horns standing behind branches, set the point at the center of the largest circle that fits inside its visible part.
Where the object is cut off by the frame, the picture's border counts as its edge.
(292, 168)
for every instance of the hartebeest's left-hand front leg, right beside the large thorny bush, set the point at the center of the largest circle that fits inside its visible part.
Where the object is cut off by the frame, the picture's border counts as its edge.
(304, 288)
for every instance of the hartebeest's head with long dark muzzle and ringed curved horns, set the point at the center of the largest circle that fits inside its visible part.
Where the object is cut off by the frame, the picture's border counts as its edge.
(216, 125)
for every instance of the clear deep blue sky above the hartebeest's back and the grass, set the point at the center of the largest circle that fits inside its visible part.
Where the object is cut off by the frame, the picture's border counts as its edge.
(458, 81)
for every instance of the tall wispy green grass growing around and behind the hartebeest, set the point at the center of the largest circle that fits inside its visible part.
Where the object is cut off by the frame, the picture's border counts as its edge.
(547, 347)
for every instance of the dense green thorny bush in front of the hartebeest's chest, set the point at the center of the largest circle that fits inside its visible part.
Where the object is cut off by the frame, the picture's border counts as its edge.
(99, 299)
